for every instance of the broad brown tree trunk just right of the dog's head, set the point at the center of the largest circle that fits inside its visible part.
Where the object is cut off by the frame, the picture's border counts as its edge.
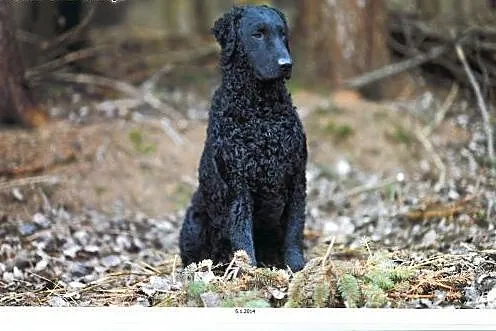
(341, 39)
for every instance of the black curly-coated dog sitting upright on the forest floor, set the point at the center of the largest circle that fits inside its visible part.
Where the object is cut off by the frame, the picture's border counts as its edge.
(251, 194)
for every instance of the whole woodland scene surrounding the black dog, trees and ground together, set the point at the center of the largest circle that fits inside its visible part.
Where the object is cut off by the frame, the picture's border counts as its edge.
(103, 111)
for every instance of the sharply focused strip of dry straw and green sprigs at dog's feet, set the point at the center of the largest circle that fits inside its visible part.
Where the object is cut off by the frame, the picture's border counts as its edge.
(380, 279)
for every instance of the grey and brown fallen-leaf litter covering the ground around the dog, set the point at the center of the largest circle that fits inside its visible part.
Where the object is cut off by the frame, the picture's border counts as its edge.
(370, 241)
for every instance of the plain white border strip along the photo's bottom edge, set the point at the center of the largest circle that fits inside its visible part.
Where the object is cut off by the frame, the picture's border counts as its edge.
(201, 319)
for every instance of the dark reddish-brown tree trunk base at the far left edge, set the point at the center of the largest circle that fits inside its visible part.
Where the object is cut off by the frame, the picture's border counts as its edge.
(16, 102)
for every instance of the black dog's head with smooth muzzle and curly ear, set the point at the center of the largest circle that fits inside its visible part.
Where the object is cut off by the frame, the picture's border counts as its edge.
(262, 33)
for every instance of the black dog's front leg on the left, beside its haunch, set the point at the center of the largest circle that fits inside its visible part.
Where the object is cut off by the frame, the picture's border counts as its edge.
(241, 225)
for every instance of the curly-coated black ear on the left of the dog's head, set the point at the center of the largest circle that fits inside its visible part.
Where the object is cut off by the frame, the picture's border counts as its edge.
(225, 32)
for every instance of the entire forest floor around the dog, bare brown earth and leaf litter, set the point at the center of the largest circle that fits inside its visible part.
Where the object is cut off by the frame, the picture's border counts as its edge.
(92, 203)
